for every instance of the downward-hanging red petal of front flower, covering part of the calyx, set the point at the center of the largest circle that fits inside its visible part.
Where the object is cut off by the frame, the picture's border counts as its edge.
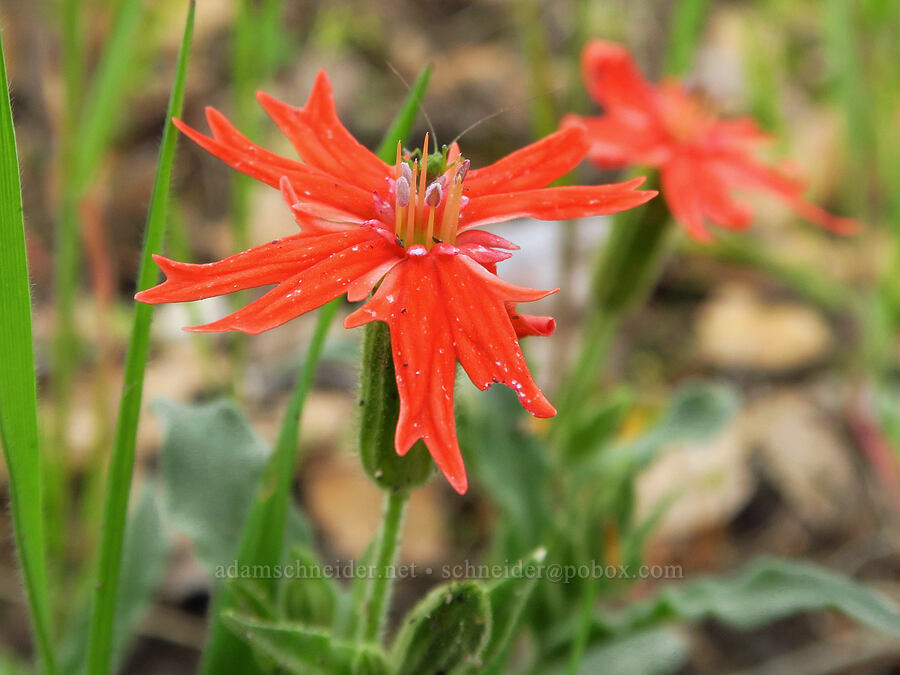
(442, 307)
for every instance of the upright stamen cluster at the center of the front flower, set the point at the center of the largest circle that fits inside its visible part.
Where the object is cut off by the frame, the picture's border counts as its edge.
(426, 211)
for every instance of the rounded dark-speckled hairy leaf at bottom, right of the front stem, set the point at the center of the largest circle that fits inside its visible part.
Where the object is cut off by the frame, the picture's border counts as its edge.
(446, 630)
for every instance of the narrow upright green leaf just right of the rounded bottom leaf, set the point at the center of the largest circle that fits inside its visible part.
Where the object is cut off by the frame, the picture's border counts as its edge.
(508, 598)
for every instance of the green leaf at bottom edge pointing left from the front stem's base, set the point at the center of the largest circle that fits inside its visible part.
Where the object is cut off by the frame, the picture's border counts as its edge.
(304, 650)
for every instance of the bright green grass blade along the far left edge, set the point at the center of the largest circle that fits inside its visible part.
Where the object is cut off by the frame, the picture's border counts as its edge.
(18, 393)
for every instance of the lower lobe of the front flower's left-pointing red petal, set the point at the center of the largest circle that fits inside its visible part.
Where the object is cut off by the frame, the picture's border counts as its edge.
(312, 287)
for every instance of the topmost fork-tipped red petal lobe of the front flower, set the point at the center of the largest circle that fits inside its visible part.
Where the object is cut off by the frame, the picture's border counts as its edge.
(321, 140)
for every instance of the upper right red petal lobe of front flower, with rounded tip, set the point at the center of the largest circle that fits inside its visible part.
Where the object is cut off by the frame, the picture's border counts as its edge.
(534, 166)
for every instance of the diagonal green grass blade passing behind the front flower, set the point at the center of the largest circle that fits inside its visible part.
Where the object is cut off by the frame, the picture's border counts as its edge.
(262, 540)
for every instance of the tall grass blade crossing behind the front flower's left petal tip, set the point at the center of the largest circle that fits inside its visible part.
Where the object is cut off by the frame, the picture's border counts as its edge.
(115, 510)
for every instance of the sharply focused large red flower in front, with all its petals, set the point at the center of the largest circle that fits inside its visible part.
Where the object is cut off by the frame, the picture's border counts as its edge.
(410, 227)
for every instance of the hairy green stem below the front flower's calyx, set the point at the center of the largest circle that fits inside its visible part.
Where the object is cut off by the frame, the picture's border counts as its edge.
(378, 595)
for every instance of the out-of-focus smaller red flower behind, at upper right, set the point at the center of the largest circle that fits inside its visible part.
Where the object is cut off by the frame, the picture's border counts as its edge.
(702, 159)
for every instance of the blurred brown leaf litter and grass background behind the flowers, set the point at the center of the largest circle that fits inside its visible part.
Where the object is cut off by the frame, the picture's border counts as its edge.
(801, 323)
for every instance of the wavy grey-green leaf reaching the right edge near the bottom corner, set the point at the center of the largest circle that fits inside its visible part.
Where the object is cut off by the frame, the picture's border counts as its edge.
(769, 589)
